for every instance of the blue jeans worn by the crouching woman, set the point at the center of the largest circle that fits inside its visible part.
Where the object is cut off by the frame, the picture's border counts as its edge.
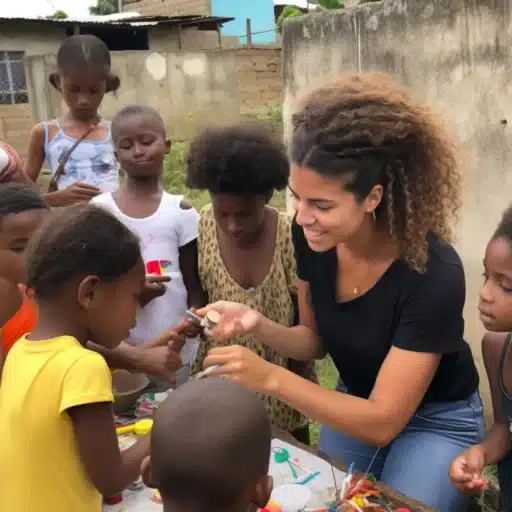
(417, 462)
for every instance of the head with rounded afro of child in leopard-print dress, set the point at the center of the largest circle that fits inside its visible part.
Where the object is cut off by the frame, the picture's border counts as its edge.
(240, 166)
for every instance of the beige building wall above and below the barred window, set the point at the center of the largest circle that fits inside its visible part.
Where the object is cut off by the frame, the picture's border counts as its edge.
(15, 120)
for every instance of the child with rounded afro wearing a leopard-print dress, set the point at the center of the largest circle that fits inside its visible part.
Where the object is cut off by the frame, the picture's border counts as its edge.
(245, 246)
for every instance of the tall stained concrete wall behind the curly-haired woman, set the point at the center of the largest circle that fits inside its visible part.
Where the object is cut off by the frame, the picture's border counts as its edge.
(454, 54)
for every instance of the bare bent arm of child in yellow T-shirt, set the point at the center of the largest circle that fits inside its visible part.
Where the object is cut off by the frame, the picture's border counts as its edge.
(108, 469)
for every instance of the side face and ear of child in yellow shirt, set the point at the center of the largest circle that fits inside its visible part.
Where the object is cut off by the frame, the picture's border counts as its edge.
(112, 306)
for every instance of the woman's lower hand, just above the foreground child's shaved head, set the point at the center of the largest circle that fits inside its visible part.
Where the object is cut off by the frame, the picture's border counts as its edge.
(244, 366)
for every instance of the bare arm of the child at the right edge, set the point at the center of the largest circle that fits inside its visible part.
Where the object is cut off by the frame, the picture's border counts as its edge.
(497, 443)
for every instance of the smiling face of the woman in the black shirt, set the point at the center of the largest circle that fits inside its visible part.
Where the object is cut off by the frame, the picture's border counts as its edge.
(329, 214)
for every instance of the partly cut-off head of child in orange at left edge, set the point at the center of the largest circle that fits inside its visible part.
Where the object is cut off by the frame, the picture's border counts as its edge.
(22, 211)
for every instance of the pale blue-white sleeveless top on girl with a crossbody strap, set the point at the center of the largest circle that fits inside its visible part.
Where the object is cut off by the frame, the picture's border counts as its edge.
(92, 161)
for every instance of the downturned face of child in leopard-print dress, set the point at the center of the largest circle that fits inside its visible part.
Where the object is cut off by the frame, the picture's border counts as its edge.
(241, 218)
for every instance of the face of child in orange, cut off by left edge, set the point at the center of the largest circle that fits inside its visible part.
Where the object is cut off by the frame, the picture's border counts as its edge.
(16, 230)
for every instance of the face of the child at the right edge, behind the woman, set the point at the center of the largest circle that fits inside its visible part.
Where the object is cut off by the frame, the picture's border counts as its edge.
(495, 304)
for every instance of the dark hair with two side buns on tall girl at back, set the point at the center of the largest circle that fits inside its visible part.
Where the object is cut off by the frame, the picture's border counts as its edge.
(85, 50)
